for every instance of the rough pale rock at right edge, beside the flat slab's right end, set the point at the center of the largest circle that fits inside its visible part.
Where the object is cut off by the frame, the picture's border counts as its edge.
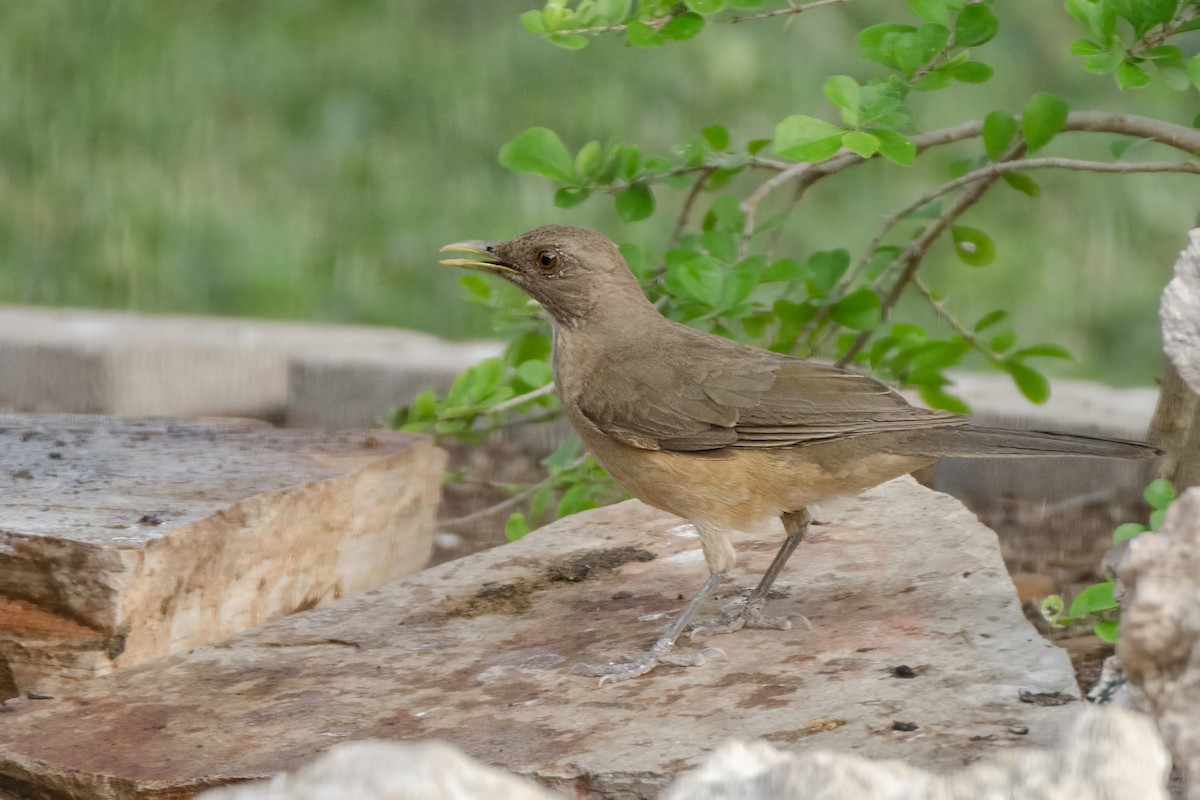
(1160, 646)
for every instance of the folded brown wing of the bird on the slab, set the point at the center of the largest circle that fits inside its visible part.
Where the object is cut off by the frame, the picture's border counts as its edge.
(707, 393)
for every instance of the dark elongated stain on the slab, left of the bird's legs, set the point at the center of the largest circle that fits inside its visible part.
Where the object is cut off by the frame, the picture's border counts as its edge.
(515, 598)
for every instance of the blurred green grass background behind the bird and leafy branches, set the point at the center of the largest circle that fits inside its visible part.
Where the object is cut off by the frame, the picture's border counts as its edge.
(304, 160)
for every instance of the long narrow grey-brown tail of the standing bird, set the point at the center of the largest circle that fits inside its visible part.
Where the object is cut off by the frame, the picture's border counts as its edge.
(970, 441)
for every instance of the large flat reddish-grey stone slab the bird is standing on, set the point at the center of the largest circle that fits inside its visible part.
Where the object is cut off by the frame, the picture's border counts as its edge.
(481, 653)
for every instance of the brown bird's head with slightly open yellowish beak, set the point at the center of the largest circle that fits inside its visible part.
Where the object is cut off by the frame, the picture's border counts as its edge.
(574, 273)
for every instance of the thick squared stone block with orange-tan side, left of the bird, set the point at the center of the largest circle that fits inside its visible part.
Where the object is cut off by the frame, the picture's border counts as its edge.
(124, 540)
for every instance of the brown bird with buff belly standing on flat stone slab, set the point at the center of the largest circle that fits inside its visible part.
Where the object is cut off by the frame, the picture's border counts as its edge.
(724, 435)
